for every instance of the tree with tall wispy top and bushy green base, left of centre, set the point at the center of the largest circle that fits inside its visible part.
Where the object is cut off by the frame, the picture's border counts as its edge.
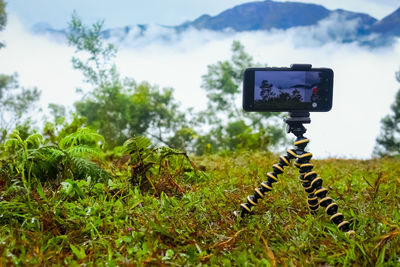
(119, 108)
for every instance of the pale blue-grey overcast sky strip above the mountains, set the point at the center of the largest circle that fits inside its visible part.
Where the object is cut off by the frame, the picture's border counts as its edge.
(171, 12)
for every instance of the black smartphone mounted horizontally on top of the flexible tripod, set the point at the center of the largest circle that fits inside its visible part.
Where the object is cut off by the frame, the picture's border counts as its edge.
(287, 89)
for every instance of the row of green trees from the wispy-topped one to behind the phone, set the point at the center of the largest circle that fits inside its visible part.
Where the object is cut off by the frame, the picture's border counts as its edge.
(119, 107)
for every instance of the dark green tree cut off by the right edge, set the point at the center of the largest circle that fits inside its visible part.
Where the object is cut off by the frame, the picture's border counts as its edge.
(388, 142)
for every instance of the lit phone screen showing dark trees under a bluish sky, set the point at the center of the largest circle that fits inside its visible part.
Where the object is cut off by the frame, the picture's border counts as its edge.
(288, 89)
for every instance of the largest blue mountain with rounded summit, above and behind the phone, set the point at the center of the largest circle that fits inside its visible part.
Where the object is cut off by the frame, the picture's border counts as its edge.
(268, 14)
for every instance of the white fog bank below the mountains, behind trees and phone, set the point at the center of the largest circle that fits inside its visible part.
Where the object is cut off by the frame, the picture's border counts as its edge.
(364, 85)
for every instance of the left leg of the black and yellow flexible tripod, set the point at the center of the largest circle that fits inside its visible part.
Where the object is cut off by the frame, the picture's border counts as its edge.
(266, 186)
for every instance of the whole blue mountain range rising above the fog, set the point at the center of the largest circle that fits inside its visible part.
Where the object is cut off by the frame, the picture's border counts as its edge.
(319, 24)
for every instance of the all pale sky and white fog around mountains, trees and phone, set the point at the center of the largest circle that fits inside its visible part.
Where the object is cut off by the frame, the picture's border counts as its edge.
(364, 84)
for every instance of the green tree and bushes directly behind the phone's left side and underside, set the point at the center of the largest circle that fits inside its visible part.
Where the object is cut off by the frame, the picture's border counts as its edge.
(230, 124)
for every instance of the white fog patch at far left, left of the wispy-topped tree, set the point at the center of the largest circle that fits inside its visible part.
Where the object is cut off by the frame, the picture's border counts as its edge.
(39, 62)
